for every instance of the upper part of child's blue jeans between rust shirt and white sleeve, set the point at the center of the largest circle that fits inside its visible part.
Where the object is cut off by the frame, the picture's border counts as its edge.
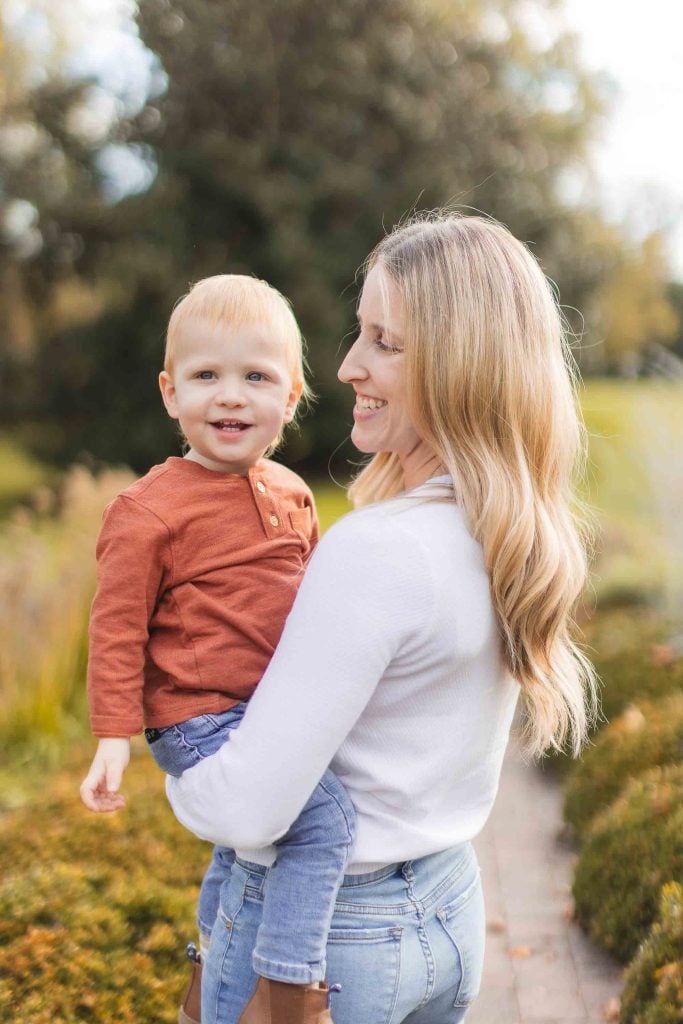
(178, 748)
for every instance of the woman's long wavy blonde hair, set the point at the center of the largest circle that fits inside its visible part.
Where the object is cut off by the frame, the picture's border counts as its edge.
(492, 387)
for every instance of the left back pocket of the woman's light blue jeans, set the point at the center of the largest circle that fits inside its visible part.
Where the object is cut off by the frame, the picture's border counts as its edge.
(369, 993)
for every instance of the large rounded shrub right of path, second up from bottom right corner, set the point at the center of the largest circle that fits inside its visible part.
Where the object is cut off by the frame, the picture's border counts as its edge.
(630, 852)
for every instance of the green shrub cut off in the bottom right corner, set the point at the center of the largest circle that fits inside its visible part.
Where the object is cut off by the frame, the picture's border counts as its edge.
(654, 983)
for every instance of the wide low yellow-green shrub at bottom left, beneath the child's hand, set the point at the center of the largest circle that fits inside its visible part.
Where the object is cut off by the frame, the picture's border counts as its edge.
(96, 910)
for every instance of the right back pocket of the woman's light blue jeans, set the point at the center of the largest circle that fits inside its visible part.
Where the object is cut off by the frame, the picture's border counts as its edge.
(463, 921)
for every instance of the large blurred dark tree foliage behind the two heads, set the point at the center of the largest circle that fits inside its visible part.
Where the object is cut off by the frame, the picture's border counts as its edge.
(289, 136)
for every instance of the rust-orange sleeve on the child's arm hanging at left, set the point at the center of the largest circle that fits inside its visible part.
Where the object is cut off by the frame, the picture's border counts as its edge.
(134, 568)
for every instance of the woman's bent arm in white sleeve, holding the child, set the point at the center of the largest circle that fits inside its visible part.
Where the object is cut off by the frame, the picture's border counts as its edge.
(365, 595)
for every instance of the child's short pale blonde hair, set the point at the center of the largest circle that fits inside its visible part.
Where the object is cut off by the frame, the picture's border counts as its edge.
(237, 301)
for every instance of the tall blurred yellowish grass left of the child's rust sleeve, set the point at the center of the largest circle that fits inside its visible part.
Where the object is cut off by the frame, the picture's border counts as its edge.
(47, 586)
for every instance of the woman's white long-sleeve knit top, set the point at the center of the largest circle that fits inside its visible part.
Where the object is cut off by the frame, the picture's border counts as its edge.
(390, 671)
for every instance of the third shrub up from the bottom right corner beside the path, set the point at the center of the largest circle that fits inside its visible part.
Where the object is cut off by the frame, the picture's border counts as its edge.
(643, 738)
